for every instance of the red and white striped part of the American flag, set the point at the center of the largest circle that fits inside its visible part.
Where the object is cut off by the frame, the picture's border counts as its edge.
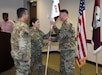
(81, 35)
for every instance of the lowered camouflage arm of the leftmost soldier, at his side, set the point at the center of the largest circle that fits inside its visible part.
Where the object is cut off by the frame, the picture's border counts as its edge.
(27, 43)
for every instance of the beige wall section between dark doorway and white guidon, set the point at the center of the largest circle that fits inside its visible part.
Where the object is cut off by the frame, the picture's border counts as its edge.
(43, 13)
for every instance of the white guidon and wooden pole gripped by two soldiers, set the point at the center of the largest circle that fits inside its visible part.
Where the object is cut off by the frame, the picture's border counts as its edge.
(54, 13)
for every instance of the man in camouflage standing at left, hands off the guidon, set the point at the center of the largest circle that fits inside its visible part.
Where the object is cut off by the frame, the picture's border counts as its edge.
(21, 43)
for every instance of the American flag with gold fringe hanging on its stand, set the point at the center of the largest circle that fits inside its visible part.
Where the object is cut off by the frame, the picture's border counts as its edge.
(81, 35)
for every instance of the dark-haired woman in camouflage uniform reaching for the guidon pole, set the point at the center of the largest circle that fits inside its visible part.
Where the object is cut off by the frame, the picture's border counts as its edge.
(37, 37)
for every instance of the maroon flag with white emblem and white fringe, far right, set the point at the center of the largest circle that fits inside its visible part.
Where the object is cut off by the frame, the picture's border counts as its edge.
(96, 41)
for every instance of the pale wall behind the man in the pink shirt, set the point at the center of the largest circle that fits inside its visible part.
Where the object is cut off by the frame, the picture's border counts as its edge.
(10, 6)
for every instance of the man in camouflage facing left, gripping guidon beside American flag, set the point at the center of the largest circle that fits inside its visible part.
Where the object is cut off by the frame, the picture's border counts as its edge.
(66, 38)
